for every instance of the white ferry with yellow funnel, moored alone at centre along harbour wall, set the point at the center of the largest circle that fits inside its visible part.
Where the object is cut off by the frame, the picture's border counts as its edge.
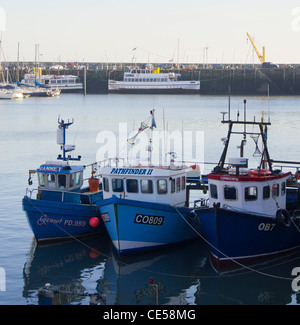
(150, 80)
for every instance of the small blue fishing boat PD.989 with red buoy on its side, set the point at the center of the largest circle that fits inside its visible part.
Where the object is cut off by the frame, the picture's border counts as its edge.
(62, 207)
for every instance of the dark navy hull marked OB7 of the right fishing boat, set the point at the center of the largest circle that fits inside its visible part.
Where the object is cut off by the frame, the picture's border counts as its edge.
(246, 237)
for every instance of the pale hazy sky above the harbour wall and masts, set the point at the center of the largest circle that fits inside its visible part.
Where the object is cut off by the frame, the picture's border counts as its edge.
(156, 31)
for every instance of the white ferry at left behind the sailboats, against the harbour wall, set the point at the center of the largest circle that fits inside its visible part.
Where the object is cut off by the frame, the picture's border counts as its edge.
(66, 83)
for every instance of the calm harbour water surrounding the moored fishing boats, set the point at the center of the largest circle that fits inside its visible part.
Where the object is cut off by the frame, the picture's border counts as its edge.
(182, 275)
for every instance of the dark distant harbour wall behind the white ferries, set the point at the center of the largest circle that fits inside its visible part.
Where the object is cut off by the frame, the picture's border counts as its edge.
(281, 81)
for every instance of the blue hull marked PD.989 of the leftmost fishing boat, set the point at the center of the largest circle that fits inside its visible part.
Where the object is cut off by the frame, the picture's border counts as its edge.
(50, 220)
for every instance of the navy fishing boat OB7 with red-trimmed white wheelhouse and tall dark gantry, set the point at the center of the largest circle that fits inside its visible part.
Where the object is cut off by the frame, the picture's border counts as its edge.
(255, 212)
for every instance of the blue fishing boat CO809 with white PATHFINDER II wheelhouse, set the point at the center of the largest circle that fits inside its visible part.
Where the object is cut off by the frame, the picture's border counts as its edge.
(146, 207)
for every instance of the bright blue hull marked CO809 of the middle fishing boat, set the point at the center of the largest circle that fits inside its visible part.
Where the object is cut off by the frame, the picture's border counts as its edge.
(135, 226)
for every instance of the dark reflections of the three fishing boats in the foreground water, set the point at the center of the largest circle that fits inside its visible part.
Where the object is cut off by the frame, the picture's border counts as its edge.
(181, 275)
